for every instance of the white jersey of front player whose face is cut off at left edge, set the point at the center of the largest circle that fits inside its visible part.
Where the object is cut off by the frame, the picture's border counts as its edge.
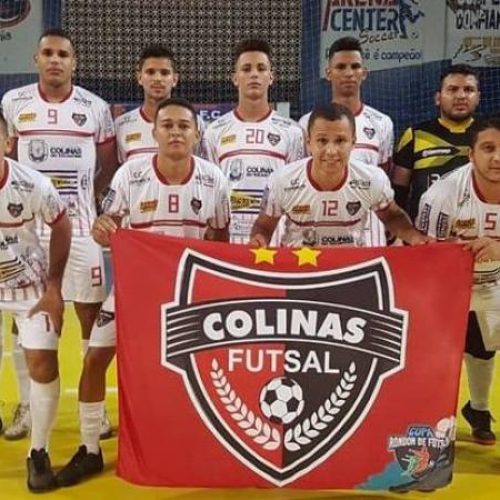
(25, 195)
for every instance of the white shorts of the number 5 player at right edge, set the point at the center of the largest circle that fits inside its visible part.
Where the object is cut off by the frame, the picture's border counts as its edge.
(485, 301)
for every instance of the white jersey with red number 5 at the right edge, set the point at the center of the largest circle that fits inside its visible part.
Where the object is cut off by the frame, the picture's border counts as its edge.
(453, 207)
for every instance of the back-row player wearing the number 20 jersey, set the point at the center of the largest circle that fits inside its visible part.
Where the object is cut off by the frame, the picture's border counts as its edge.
(252, 141)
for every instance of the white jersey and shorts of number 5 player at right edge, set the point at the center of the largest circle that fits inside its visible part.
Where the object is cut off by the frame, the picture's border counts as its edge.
(454, 207)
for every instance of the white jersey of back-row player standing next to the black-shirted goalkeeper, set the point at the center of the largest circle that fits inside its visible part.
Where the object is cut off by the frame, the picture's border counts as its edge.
(374, 136)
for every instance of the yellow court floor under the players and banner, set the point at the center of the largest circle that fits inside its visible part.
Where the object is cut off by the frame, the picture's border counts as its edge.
(477, 468)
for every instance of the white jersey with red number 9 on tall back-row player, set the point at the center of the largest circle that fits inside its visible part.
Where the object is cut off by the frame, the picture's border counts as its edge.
(59, 139)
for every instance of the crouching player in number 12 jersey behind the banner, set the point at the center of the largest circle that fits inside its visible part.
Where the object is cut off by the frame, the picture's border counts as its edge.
(326, 199)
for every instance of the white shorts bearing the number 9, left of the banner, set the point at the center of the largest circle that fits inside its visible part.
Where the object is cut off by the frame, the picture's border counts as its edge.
(84, 276)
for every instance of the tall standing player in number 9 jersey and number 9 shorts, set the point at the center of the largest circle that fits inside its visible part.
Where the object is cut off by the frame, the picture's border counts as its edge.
(65, 132)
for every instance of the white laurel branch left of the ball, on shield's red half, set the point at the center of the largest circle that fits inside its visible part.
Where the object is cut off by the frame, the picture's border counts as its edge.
(261, 432)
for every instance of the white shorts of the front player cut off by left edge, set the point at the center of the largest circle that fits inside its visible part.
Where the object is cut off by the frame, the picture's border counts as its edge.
(36, 332)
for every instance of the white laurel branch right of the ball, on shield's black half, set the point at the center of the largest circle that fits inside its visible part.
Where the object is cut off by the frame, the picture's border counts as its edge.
(304, 432)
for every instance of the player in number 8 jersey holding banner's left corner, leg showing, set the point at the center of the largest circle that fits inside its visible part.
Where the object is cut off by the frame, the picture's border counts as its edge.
(186, 197)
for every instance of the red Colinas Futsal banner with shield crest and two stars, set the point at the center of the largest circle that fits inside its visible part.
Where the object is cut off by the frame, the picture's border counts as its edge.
(306, 368)
